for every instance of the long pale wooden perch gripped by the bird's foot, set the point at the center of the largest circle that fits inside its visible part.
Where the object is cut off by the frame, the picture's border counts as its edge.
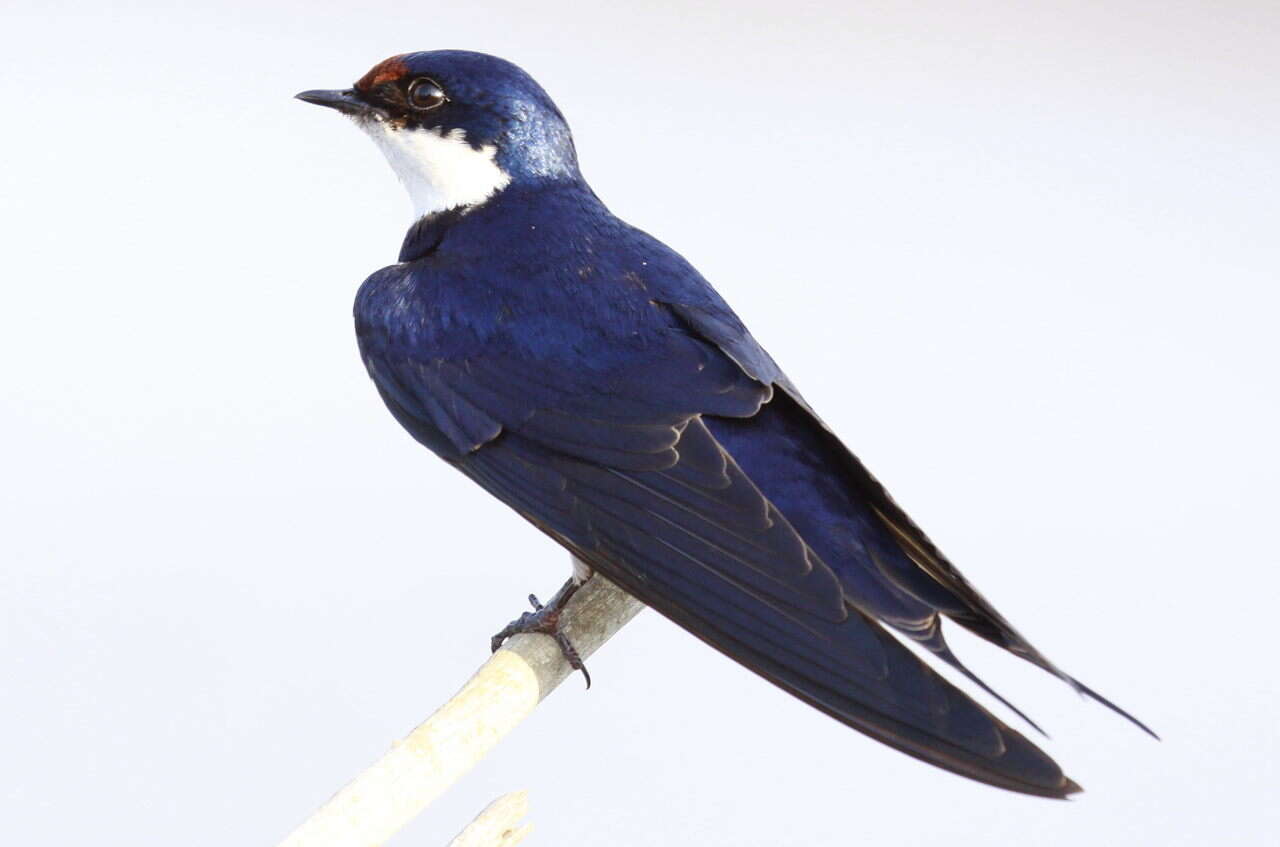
(378, 803)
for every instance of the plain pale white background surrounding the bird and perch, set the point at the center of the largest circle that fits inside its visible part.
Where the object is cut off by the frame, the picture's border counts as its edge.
(1023, 257)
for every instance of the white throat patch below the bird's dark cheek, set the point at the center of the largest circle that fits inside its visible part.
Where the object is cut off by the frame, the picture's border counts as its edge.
(440, 171)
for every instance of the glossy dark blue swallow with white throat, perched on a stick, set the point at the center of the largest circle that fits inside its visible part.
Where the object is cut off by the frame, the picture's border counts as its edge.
(588, 377)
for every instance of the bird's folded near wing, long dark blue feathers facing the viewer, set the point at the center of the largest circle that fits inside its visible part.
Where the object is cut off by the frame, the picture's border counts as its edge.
(621, 468)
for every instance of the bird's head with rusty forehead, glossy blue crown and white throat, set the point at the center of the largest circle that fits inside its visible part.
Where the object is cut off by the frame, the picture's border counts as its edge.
(458, 127)
